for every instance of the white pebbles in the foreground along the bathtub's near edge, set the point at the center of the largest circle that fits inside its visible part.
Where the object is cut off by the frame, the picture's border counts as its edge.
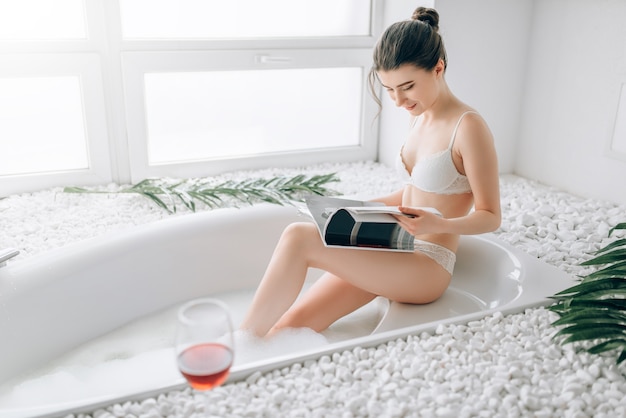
(499, 366)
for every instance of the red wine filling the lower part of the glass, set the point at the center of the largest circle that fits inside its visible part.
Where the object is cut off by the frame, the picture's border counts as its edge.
(205, 366)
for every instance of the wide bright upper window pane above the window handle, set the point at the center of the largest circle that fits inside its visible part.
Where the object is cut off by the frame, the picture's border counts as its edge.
(237, 19)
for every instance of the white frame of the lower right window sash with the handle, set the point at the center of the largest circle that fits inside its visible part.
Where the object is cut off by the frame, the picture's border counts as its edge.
(136, 65)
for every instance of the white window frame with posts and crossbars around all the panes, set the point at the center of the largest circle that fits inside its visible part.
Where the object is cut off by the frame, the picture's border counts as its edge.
(110, 67)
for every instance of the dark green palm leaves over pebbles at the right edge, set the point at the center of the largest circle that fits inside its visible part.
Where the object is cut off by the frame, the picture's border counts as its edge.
(594, 311)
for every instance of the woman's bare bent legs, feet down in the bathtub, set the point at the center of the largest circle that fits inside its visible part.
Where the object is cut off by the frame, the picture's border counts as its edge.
(403, 277)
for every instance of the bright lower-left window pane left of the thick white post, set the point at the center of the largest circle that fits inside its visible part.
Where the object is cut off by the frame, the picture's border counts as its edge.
(57, 141)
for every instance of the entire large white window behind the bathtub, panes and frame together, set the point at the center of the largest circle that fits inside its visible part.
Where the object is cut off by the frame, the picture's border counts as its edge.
(98, 91)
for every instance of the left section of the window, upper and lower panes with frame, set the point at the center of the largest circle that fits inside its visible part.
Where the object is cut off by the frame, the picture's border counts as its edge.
(53, 128)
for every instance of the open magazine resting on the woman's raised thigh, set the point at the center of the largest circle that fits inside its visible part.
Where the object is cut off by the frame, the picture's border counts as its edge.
(360, 224)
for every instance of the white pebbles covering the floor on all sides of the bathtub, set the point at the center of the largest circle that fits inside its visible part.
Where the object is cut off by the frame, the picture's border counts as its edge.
(500, 366)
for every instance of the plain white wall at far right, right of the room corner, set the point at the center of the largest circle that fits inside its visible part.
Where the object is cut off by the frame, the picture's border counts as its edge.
(576, 66)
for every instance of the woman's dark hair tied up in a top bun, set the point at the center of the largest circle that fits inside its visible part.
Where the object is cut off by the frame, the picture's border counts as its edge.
(416, 41)
